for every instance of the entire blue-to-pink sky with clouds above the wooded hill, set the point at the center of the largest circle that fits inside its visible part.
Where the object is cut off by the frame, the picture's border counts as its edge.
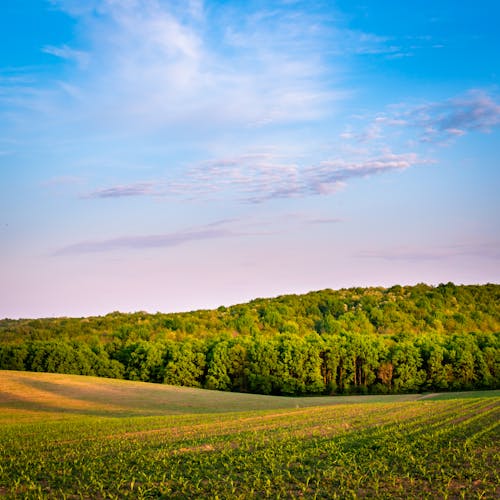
(171, 155)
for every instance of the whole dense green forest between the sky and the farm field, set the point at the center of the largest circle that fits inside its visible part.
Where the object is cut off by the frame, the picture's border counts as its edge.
(358, 340)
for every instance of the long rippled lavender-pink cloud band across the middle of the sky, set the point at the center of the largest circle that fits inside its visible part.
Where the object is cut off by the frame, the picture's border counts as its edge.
(260, 177)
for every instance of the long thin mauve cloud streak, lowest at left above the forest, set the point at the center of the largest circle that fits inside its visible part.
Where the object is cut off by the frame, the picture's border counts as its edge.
(208, 232)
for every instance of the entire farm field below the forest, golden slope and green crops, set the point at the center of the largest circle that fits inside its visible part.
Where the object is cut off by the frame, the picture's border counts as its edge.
(67, 436)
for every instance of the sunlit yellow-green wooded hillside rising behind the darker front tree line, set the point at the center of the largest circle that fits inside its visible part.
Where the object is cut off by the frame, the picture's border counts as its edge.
(422, 308)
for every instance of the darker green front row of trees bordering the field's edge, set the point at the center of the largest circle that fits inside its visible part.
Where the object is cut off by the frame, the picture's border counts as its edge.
(283, 364)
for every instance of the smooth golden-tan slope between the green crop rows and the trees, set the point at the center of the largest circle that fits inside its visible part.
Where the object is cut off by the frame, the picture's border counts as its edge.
(50, 394)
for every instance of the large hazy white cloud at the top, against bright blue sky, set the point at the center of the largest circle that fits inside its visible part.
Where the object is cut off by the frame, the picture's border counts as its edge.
(151, 64)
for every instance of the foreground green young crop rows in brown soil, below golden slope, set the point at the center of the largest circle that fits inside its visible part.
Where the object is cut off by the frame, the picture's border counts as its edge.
(445, 449)
